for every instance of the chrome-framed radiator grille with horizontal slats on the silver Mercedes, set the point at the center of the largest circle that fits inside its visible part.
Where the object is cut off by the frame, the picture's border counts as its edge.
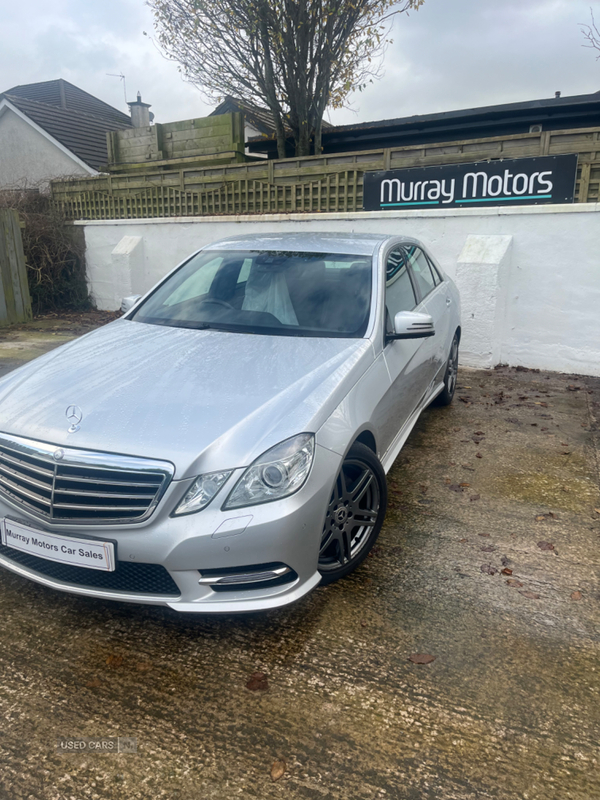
(80, 486)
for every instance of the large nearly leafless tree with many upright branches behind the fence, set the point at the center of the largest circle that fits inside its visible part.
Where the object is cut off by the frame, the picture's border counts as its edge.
(295, 56)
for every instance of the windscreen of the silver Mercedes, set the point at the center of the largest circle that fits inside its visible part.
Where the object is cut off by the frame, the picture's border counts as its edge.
(268, 292)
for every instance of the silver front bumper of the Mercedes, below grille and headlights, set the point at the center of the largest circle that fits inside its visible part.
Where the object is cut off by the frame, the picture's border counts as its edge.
(194, 551)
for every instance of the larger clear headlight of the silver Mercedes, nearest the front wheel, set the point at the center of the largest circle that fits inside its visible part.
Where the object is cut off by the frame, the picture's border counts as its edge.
(279, 472)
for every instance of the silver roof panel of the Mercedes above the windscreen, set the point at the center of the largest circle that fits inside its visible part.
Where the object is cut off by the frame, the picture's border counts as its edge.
(364, 244)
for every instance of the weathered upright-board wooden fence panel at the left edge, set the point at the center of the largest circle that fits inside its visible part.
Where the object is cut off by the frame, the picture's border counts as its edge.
(15, 302)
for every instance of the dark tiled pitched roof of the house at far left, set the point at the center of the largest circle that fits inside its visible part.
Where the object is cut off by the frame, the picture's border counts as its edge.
(76, 119)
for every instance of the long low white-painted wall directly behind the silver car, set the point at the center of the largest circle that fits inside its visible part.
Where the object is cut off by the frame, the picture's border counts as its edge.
(529, 276)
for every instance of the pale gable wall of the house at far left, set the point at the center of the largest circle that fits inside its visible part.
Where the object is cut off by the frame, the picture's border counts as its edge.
(27, 157)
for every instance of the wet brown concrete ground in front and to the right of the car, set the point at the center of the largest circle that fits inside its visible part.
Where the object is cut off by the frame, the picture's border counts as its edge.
(507, 479)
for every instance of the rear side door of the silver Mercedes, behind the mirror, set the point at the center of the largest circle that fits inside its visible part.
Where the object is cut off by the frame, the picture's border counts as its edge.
(434, 299)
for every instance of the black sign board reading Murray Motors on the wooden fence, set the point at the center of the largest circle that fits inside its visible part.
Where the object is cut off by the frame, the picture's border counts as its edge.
(508, 182)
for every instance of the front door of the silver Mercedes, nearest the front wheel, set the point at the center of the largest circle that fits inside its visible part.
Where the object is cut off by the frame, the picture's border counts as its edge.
(406, 359)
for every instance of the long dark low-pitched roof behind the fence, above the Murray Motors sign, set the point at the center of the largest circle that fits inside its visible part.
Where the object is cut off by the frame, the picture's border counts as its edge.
(472, 123)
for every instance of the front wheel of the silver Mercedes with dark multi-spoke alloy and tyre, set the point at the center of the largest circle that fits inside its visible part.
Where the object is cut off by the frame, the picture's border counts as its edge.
(355, 514)
